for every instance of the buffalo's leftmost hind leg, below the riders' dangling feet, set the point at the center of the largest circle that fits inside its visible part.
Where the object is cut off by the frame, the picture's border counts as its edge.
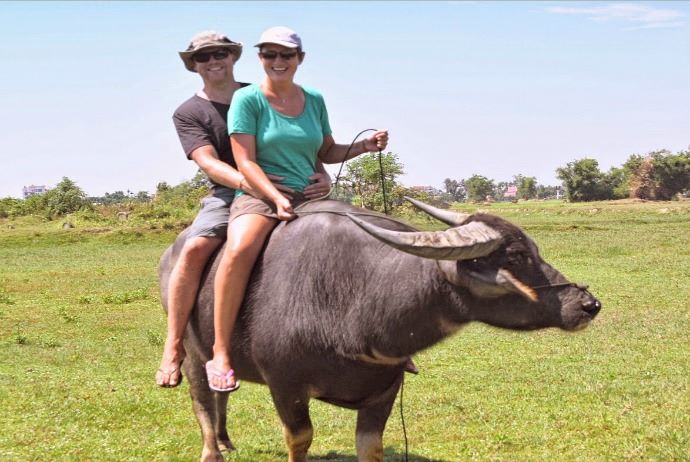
(204, 404)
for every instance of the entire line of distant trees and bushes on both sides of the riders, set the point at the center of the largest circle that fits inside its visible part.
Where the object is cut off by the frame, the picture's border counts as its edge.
(659, 175)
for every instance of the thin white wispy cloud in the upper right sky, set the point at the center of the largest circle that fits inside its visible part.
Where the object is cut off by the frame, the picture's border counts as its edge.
(640, 16)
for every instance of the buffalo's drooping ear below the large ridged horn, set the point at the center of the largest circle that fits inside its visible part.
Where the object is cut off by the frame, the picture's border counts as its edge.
(486, 284)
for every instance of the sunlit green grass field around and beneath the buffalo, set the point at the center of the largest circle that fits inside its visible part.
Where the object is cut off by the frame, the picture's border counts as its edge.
(81, 331)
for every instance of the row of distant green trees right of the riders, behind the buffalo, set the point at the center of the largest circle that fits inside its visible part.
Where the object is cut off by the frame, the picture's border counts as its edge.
(659, 175)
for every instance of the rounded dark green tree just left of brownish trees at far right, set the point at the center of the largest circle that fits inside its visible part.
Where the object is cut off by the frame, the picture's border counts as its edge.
(583, 181)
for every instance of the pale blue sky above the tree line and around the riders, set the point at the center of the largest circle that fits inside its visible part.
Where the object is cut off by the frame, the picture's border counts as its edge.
(489, 88)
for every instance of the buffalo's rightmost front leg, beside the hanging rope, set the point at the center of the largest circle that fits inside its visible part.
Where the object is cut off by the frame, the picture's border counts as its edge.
(371, 422)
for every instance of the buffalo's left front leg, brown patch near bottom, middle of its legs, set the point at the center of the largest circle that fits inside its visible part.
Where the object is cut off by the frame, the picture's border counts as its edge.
(293, 410)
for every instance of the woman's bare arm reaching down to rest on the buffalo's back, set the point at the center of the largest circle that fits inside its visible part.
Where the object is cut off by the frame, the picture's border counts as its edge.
(244, 150)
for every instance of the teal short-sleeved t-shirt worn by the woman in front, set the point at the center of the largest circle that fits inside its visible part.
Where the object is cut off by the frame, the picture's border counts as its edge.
(285, 146)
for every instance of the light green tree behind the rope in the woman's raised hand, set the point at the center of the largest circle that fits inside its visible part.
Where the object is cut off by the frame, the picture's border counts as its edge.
(363, 179)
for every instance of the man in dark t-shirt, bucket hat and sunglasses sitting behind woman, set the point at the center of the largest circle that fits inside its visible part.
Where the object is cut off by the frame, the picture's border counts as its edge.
(201, 124)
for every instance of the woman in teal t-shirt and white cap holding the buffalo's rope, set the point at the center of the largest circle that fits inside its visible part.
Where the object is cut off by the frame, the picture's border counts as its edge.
(278, 128)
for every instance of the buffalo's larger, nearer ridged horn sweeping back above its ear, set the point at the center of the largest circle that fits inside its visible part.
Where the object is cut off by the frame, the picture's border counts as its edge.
(465, 242)
